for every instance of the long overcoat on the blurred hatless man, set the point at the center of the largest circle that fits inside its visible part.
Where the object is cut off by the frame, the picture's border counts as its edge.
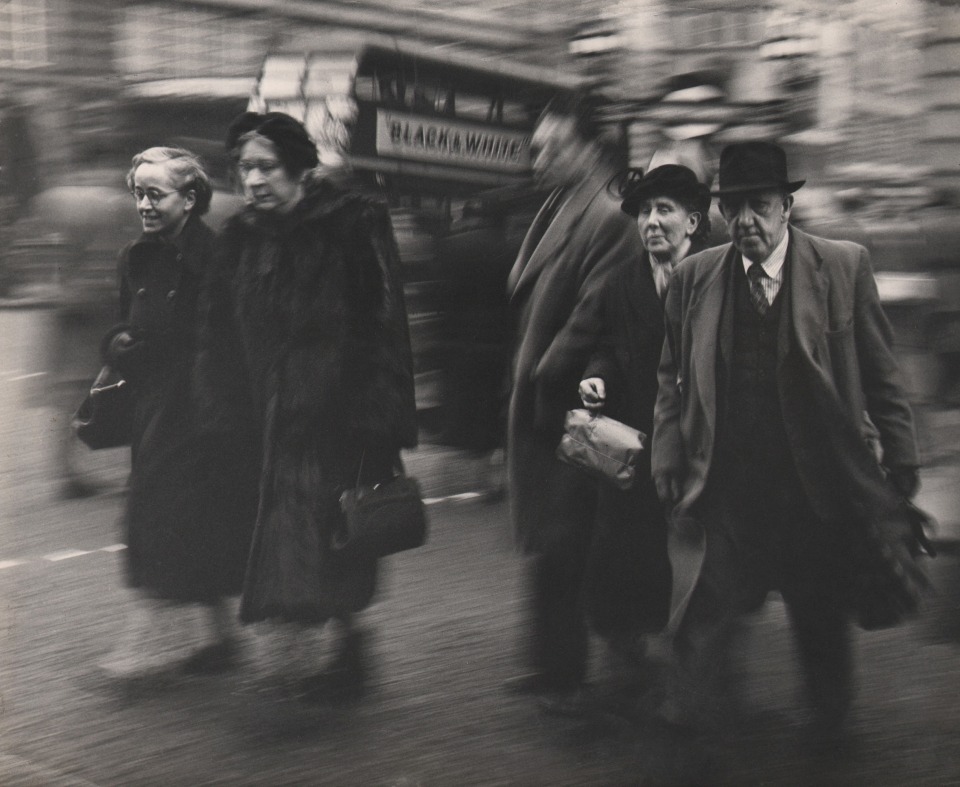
(555, 292)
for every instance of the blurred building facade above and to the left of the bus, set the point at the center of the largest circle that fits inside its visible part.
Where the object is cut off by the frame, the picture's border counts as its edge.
(70, 61)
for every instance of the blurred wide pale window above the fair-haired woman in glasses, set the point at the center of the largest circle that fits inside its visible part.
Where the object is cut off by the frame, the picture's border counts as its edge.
(156, 42)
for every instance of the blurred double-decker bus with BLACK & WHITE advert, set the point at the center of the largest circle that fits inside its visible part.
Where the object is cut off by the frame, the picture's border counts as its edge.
(446, 136)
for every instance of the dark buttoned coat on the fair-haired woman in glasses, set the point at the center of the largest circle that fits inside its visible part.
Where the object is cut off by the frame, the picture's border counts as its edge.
(189, 512)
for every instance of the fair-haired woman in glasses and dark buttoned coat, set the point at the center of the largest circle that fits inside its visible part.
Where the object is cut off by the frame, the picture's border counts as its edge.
(189, 513)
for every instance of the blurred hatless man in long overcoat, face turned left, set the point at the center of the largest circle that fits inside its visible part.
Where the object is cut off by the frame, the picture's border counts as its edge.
(578, 239)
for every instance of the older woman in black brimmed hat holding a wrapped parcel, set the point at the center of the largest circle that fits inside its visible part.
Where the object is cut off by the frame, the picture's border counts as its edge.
(671, 208)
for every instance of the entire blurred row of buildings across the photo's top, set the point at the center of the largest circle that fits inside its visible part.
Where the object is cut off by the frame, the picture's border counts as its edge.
(873, 83)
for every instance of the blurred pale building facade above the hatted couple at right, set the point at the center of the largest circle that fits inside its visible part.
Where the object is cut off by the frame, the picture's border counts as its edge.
(863, 87)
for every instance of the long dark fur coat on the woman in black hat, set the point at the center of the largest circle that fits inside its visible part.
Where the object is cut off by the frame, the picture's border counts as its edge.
(312, 303)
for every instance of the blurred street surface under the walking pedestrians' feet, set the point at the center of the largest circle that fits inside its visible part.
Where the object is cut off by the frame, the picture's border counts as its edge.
(446, 629)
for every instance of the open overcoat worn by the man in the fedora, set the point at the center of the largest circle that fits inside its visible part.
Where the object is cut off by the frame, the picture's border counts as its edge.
(838, 381)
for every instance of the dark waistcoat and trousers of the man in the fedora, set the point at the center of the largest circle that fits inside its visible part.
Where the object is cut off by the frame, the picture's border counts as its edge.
(762, 535)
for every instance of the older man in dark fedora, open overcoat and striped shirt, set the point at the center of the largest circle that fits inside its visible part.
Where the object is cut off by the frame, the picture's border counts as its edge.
(780, 425)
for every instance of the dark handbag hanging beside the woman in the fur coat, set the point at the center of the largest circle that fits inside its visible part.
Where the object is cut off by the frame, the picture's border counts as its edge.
(382, 519)
